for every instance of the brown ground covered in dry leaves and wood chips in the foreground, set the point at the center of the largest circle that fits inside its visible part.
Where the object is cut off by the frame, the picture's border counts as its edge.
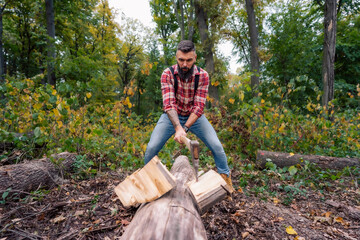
(89, 209)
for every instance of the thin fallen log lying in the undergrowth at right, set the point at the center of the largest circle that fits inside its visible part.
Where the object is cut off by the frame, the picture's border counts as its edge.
(287, 159)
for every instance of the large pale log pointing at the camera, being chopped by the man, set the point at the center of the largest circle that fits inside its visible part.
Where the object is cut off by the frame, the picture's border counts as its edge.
(173, 216)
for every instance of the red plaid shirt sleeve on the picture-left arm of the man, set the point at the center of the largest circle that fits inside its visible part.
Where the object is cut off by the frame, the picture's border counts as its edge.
(168, 91)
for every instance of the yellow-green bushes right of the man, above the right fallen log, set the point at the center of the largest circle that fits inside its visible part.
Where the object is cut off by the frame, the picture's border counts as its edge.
(267, 122)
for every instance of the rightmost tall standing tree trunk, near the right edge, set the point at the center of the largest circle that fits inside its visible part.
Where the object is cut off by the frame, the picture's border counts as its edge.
(329, 51)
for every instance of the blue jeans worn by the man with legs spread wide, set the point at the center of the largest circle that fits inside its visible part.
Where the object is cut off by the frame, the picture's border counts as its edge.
(201, 128)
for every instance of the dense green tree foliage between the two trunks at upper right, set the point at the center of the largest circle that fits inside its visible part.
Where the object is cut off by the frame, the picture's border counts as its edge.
(294, 43)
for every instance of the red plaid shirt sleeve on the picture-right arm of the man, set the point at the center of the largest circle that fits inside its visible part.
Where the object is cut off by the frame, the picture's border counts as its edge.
(201, 94)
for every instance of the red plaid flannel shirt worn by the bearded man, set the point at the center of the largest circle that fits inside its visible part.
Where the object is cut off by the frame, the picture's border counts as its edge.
(185, 102)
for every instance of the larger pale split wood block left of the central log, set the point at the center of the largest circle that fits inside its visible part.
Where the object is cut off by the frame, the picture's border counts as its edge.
(146, 184)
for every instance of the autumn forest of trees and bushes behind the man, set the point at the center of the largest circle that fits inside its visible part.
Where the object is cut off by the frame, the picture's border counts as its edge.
(72, 79)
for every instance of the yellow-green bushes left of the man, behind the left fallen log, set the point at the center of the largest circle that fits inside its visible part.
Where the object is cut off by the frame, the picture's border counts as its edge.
(39, 121)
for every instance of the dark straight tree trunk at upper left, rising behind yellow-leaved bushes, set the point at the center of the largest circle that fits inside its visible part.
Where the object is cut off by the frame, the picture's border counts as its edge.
(51, 54)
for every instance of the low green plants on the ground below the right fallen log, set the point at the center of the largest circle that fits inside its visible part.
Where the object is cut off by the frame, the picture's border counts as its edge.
(285, 185)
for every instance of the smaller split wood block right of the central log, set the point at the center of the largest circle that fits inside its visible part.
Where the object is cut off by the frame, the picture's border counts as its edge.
(210, 189)
